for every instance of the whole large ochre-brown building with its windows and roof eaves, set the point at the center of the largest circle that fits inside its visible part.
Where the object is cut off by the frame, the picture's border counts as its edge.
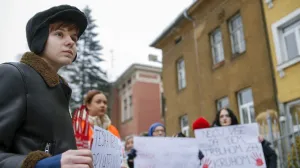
(215, 55)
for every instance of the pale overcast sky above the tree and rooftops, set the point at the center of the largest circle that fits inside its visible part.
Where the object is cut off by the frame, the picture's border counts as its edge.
(127, 27)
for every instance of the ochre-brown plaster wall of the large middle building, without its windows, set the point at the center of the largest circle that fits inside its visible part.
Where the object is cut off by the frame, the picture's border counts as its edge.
(206, 83)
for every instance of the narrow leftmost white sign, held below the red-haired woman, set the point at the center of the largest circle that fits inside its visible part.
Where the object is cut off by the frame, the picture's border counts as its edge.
(106, 149)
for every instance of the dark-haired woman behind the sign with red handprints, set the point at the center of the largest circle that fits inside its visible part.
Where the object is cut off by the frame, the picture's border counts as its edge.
(226, 117)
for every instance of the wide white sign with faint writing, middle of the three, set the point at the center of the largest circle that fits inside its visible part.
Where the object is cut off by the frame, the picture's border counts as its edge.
(166, 152)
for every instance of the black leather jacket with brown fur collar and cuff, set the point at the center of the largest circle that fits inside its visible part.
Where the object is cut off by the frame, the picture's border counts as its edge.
(34, 115)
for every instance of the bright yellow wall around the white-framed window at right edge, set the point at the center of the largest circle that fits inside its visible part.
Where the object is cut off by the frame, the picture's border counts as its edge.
(288, 84)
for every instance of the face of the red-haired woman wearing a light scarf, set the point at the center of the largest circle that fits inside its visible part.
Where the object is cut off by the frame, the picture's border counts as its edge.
(98, 105)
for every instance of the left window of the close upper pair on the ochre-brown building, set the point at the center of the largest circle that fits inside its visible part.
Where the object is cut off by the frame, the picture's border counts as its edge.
(217, 46)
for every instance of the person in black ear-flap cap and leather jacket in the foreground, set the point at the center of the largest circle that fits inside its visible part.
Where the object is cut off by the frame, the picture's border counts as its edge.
(36, 127)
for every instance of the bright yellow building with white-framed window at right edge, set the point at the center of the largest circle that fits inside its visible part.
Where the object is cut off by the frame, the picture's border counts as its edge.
(283, 26)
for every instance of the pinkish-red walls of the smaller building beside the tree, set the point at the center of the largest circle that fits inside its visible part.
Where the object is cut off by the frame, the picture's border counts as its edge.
(145, 89)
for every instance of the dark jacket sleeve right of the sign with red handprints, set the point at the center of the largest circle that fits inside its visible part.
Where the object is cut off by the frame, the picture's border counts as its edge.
(270, 154)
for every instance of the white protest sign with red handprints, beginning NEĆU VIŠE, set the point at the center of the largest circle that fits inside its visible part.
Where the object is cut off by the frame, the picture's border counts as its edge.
(231, 147)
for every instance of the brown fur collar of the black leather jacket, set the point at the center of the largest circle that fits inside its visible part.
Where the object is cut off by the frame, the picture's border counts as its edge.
(39, 65)
